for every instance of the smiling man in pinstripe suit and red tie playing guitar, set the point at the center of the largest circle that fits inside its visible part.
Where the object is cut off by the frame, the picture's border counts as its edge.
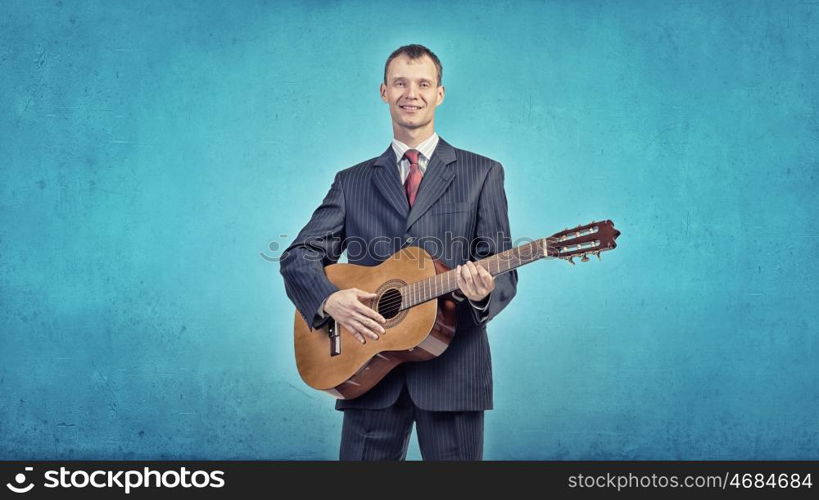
(421, 191)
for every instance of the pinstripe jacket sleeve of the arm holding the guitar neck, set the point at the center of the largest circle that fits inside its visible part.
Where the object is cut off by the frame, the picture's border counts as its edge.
(492, 236)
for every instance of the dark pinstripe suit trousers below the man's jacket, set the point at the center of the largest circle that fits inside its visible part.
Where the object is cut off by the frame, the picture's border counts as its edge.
(384, 434)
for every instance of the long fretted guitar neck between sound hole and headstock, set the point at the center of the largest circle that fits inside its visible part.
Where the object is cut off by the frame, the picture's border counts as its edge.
(440, 284)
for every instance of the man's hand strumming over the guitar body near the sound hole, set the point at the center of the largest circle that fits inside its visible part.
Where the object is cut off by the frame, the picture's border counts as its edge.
(346, 308)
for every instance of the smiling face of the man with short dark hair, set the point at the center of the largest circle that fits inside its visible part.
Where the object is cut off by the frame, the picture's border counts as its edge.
(412, 91)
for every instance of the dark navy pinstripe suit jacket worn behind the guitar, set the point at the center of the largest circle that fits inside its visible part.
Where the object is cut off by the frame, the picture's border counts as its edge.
(460, 214)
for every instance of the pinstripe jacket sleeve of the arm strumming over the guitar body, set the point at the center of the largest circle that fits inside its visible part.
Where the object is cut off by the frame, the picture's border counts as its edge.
(320, 243)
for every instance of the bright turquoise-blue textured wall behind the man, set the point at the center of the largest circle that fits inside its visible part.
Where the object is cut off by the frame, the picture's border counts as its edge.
(151, 151)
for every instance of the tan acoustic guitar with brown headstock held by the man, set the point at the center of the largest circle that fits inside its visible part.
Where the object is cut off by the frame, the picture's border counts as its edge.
(414, 294)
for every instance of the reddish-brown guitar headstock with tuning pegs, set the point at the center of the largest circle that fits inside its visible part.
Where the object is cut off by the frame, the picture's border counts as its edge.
(582, 241)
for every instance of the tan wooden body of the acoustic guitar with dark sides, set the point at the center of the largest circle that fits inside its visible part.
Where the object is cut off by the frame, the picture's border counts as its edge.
(418, 333)
